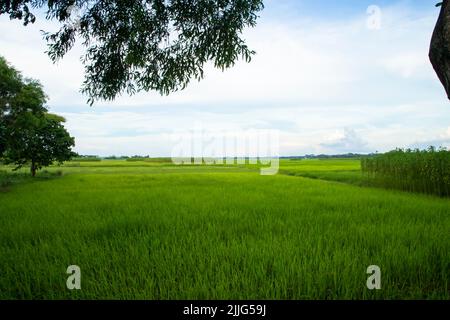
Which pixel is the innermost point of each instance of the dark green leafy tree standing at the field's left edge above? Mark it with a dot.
(28, 133)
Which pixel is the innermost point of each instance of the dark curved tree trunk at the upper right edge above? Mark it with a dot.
(440, 47)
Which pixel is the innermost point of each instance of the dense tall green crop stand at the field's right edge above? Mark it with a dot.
(426, 171)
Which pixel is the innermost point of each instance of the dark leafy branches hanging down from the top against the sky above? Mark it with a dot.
(133, 45)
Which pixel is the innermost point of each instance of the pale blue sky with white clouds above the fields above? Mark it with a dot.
(329, 76)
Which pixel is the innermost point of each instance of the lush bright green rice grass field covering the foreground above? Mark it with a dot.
(167, 232)
